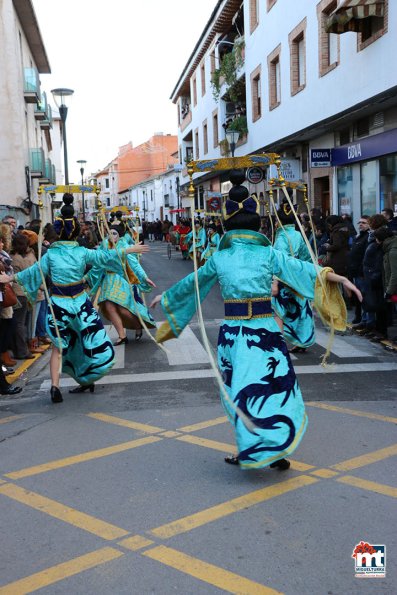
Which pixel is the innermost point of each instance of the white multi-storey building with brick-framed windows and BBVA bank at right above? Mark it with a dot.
(309, 80)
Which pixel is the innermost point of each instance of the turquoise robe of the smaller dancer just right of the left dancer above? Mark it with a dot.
(114, 287)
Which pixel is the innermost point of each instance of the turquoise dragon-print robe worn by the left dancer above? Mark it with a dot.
(87, 352)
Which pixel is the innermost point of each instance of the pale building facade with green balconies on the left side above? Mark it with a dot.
(29, 140)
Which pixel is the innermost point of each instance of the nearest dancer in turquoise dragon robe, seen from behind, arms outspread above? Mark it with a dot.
(252, 354)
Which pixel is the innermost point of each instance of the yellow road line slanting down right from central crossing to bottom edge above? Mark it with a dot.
(213, 575)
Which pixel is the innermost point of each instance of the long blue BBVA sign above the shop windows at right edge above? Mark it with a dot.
(366, 148)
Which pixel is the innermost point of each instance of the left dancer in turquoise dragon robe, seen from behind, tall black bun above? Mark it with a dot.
(87, 352)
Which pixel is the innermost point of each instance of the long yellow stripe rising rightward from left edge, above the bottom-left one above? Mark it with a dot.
(86, 456)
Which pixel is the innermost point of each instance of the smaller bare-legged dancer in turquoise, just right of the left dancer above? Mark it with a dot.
(118, 302)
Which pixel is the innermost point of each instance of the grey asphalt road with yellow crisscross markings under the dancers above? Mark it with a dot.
(125, 490)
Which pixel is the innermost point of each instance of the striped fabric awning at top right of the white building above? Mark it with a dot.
(350, 15)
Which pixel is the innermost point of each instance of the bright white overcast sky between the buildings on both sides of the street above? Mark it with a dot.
(122, 58)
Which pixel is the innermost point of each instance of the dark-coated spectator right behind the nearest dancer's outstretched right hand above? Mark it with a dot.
(355, 267)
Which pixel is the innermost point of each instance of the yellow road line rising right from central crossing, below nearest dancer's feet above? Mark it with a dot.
(231, 506)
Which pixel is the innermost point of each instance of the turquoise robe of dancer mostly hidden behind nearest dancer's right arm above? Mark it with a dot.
(294, 310)
